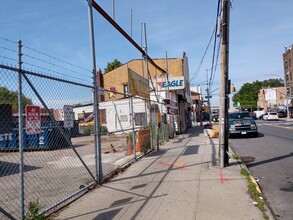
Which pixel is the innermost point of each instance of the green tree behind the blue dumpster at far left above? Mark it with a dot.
(11, 97)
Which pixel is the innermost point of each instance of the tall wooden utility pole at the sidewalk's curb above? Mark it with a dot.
(224, 148)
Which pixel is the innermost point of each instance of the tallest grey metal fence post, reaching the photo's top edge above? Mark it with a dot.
(98, 156)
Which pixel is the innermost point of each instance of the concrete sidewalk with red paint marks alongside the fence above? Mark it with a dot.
(181, 181)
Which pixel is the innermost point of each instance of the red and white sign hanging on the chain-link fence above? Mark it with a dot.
(33, 119)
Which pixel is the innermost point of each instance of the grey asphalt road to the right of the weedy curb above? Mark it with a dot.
(273, 164)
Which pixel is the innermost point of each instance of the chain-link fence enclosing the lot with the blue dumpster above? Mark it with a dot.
(50, 151)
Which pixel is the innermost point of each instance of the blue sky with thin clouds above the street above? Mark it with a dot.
(259, 31)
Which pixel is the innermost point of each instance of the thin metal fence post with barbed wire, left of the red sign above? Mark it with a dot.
(20, 131)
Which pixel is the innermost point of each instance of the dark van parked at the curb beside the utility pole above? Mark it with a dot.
(241, 123)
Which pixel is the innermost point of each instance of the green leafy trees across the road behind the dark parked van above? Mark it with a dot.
(248, 93)
